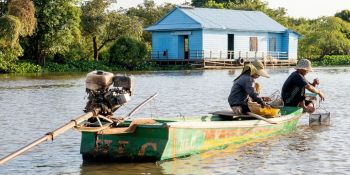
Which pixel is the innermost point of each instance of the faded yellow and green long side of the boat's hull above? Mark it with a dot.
(193, 141)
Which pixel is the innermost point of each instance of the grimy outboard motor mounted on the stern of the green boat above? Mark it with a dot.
(107, 91)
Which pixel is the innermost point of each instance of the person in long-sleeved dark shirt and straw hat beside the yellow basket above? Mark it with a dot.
(243, 88)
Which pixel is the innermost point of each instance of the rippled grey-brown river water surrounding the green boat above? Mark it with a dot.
(34, 105)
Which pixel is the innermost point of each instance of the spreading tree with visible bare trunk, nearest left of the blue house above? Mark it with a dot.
(103, 27)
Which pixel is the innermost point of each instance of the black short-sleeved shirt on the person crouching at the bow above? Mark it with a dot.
(293, 90)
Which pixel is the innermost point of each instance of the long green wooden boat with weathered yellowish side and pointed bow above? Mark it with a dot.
(162, 139)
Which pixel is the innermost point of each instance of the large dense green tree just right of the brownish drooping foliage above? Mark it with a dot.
(57, 28)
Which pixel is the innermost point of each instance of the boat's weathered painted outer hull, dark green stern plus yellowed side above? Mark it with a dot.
(167, 141)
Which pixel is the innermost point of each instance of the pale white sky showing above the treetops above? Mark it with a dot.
(295, 8)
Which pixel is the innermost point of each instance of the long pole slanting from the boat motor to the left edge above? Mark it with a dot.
(51, 135)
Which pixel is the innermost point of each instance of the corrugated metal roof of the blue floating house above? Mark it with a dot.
(224, 19)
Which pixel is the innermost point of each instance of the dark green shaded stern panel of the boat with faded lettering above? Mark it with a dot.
(145, 144)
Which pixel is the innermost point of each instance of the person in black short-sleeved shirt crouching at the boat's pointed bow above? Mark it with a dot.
(293, 90)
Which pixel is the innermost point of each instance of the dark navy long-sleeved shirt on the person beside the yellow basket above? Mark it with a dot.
(242, 88)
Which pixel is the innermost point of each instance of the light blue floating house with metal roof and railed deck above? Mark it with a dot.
(188, 33)
